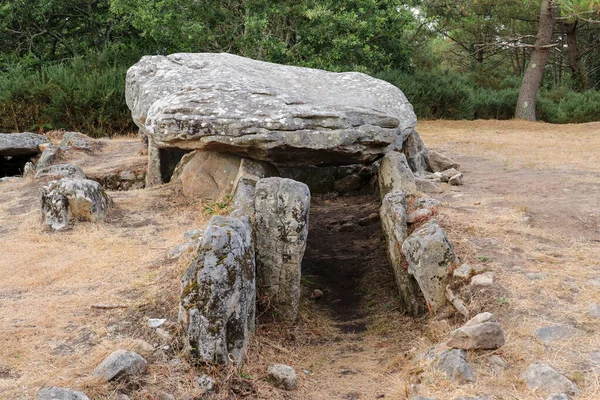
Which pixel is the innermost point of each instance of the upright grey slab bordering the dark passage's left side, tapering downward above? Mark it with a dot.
(281, 225)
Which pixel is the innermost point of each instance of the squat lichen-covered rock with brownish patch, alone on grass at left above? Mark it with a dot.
(67, 200)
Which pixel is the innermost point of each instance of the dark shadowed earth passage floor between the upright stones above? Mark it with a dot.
(344, 243)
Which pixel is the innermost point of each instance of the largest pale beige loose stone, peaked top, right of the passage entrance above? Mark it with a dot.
(481, 332)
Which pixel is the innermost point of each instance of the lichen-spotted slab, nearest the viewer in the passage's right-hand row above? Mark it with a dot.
(430, 258)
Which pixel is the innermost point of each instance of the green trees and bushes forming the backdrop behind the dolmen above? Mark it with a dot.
(63, 62)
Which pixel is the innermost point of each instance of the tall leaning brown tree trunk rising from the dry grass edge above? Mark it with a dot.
(532, 79)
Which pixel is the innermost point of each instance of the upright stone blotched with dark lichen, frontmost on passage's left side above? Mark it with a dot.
(218, 293)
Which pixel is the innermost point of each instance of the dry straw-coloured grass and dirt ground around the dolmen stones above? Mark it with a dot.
(530, 203)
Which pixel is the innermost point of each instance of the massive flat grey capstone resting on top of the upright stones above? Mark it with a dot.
(286, 115)
